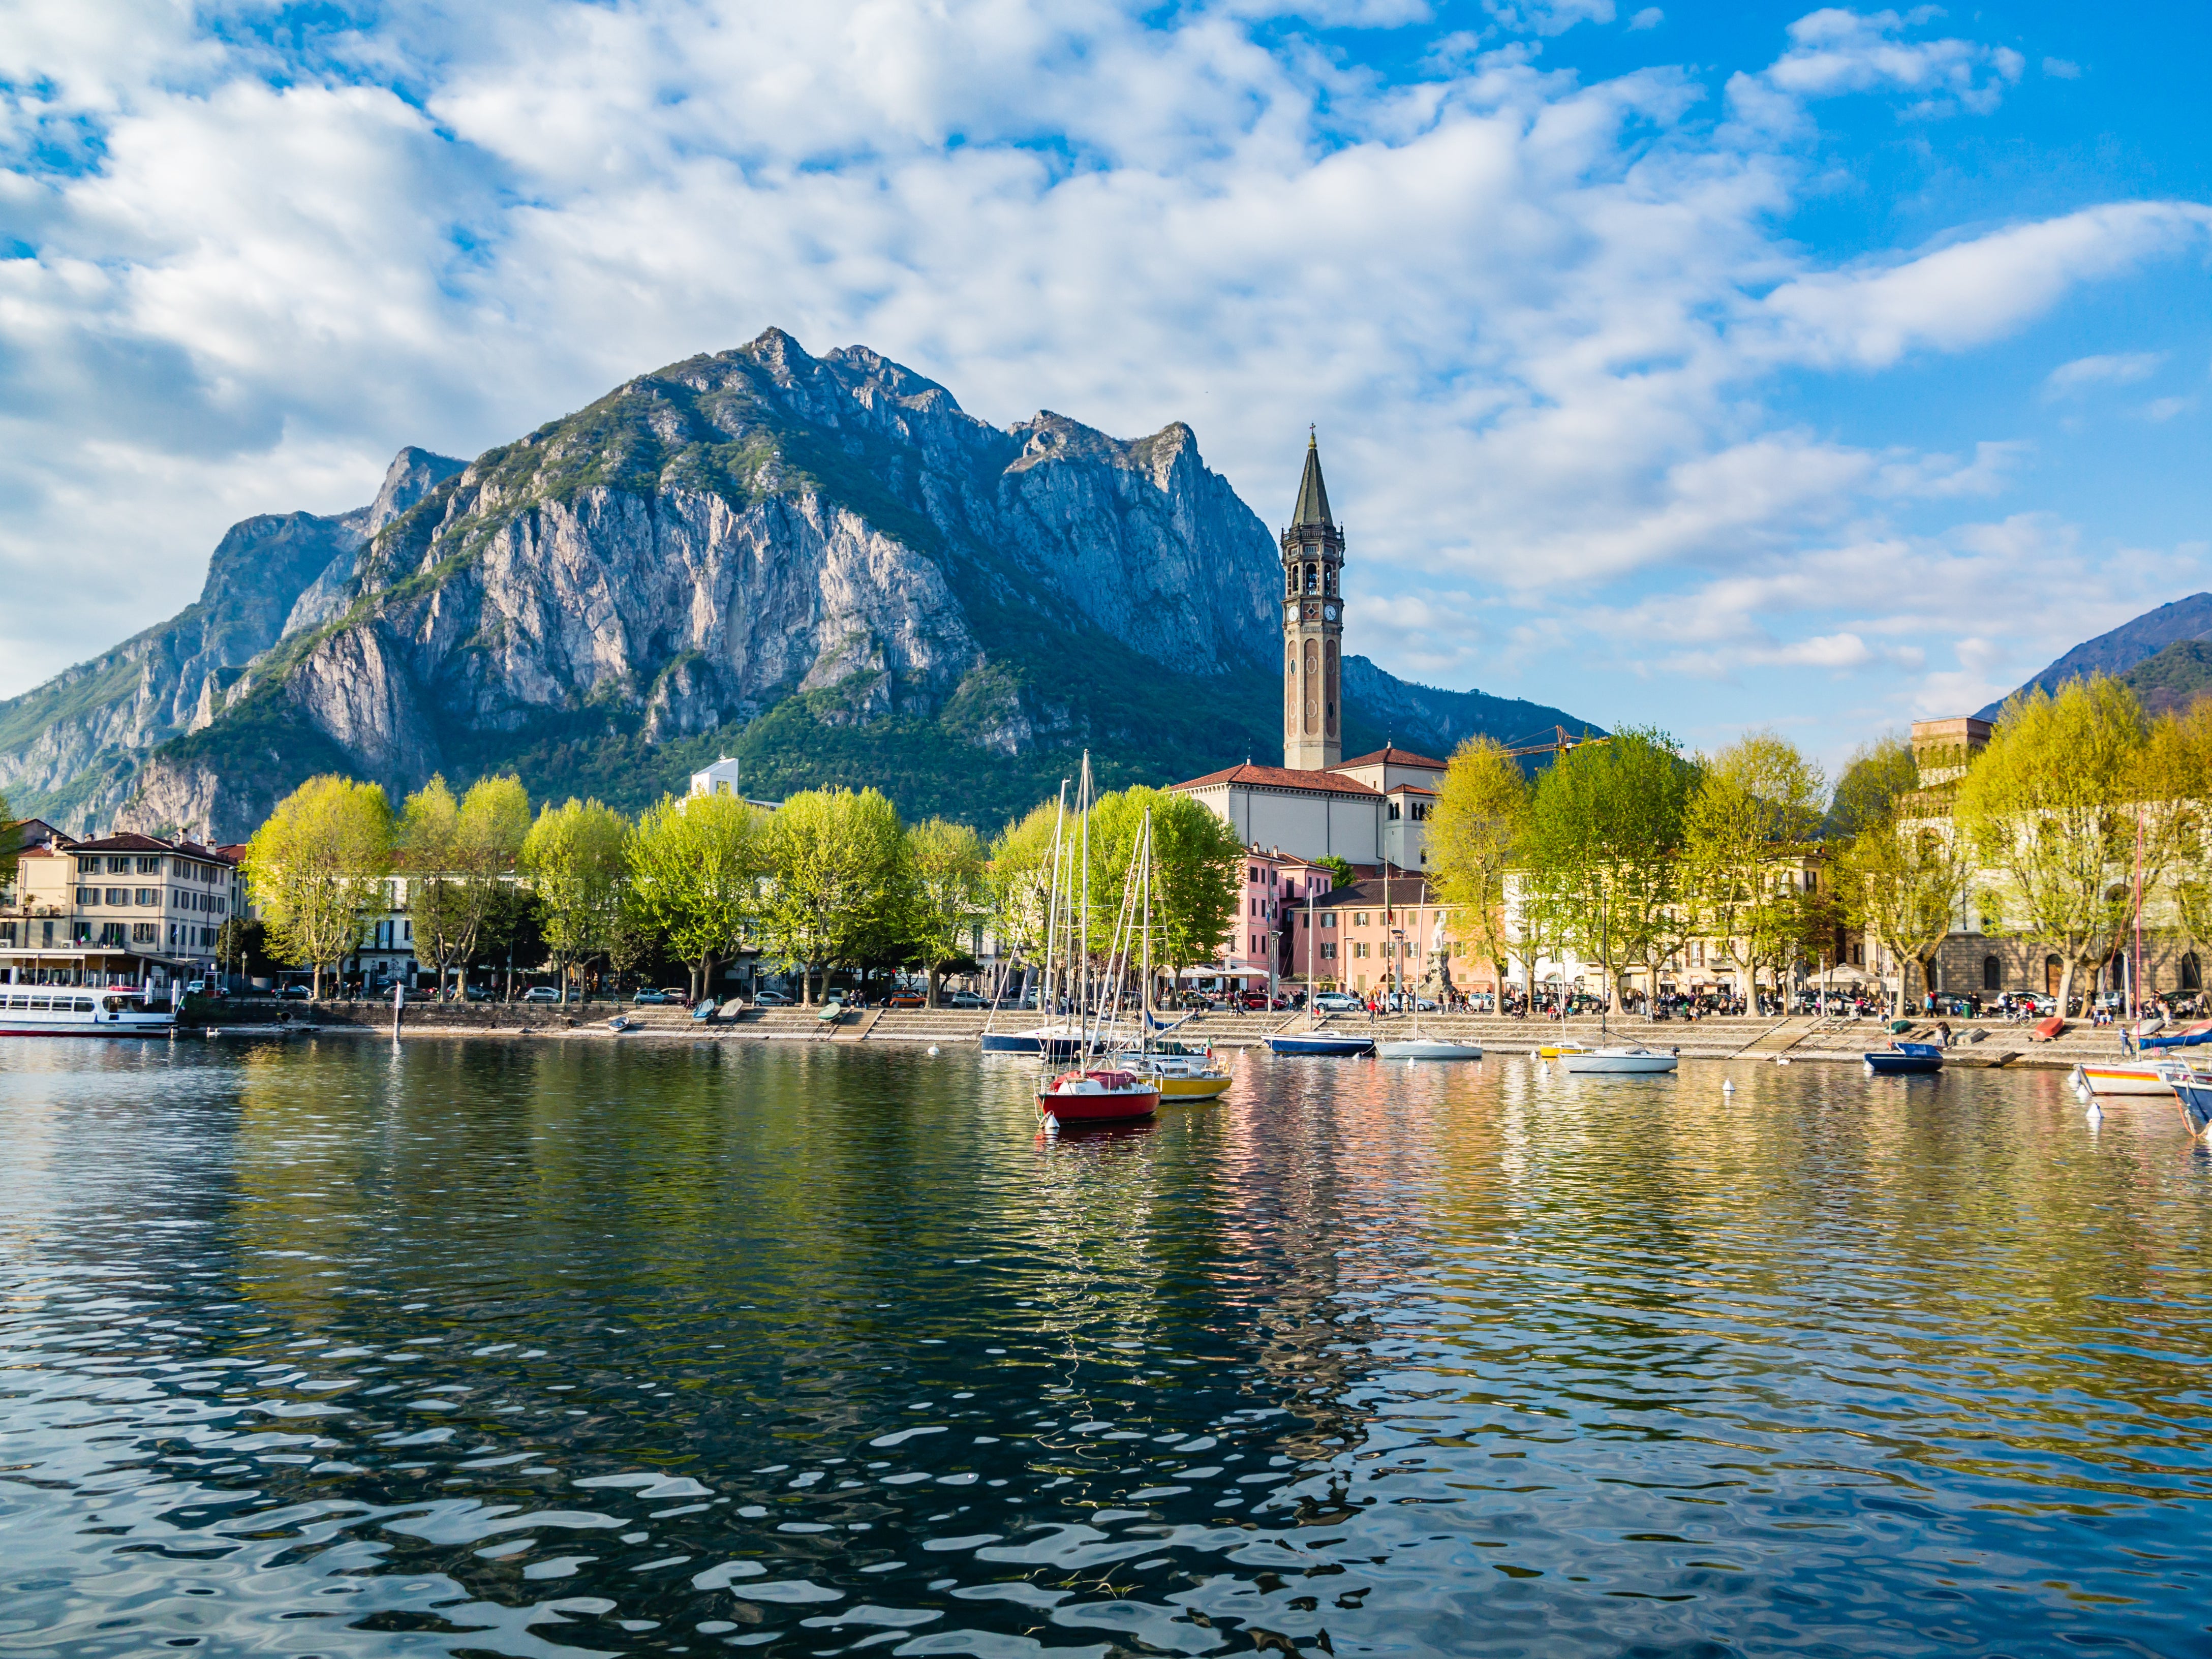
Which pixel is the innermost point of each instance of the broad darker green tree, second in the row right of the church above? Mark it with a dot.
(1603, 851)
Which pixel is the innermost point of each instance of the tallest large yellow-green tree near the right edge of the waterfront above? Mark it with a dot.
(2054, 808)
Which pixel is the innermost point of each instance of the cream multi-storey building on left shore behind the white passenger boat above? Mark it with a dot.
(116, 910)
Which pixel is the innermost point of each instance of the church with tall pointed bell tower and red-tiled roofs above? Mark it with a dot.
(1366, 811)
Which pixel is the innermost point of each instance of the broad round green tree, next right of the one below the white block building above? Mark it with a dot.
(839, 879)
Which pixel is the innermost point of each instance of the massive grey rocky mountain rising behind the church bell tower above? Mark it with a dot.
(820, 565)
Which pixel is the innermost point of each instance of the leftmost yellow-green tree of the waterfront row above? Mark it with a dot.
(317, 864)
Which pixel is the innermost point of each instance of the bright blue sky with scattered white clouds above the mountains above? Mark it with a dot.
(1702, 364)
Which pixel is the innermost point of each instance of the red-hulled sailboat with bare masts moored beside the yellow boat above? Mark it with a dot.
(1085, 1096)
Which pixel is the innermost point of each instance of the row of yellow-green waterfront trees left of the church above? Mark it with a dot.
(828, 879)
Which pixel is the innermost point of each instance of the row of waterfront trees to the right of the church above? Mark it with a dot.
(1627, 851)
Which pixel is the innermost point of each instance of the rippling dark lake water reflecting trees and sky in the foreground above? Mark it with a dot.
(501, 1348)
